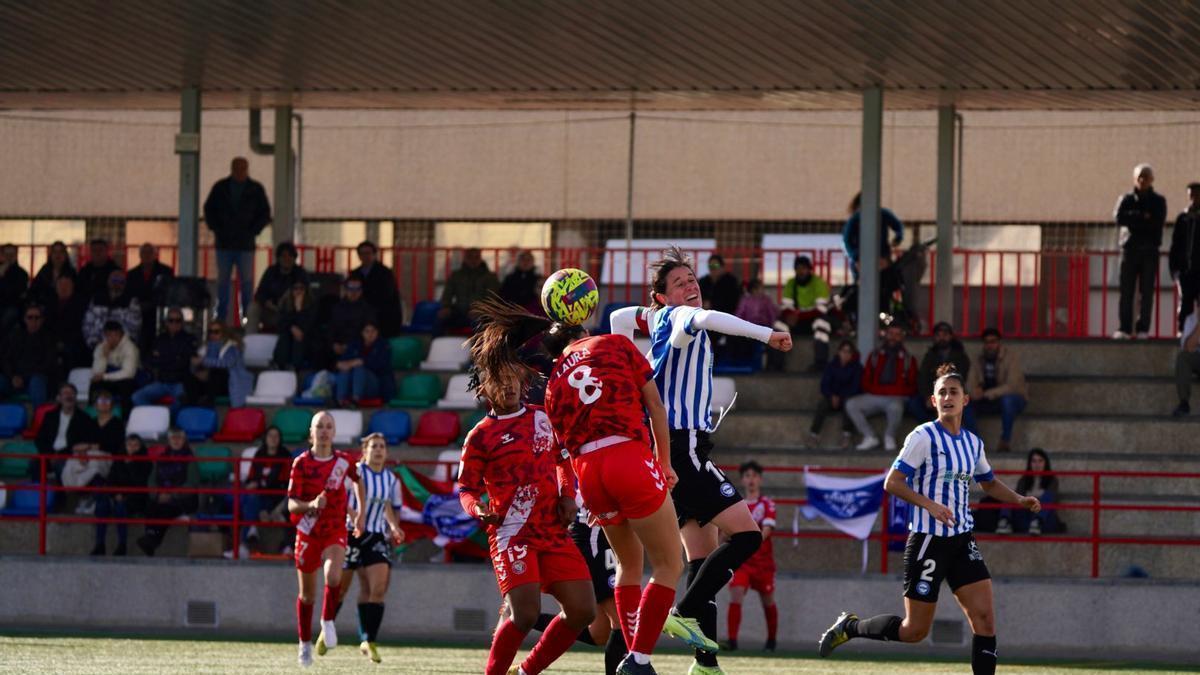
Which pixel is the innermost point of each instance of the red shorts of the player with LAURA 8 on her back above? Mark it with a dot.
(621, 482)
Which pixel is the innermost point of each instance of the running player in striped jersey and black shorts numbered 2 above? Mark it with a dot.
(934, 473)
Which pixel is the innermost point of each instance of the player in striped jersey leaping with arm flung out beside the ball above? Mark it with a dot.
(707, 504)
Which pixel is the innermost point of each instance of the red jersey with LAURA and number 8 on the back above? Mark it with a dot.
(596, 392)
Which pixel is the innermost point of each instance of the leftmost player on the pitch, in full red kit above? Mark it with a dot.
(317, 503)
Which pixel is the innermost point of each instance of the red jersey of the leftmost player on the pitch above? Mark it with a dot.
(310, 477)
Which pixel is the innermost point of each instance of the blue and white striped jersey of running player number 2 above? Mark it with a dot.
(941, 467)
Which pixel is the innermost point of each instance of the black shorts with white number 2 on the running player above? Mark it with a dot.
(929, 559)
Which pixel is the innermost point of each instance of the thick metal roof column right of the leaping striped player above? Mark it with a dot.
(869, 231)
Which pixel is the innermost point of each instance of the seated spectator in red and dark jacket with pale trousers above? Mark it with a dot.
(889, 380)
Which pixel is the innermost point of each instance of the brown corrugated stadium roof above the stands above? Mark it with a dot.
(650, 55)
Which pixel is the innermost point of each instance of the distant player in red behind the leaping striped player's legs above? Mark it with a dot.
(759, 572)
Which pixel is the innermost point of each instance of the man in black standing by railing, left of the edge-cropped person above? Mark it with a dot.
(1139, 216)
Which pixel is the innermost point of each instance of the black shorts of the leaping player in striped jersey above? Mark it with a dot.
(704, 491)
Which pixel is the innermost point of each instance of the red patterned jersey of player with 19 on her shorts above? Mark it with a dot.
(515, 461)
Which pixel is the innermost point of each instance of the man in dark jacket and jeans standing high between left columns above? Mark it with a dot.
(237, 212)
